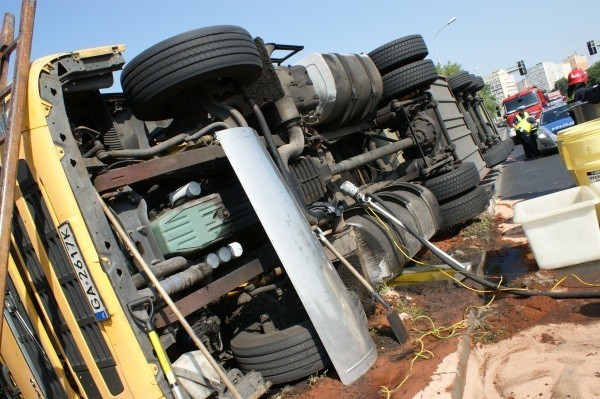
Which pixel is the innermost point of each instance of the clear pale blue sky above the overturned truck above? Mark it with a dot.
(485, 36)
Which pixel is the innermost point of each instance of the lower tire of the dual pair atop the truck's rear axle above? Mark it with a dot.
(416, 75)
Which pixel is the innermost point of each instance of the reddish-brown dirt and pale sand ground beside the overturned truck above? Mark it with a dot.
(518, 347)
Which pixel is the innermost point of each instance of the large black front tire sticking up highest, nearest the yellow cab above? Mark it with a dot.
(156, 76)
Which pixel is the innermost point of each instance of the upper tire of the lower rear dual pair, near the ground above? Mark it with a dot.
(455, 182)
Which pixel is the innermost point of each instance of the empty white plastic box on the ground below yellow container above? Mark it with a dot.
(562, 227)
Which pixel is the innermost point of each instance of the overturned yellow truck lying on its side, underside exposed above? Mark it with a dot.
(194, 194)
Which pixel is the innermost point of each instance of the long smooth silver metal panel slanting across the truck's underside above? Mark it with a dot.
(319, 287)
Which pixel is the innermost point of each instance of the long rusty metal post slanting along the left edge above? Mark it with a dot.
(12, 142)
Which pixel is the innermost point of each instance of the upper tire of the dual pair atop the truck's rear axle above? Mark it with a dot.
(399, 52)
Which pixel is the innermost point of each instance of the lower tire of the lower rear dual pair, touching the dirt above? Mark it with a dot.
(464, 208)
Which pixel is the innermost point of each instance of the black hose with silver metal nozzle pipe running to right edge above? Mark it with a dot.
(382, 208)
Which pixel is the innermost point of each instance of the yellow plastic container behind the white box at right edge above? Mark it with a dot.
(579, 148)
